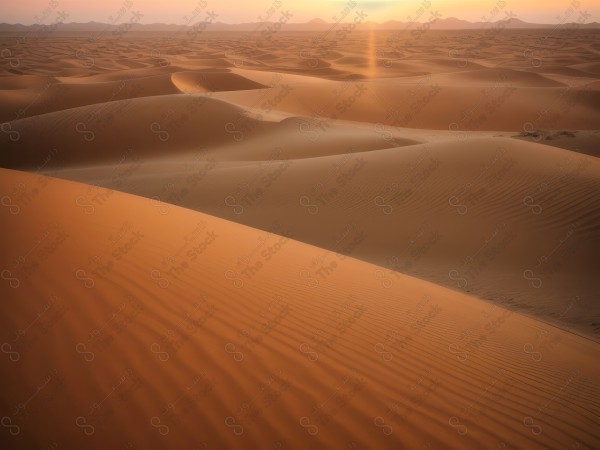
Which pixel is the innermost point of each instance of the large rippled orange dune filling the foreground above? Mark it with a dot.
(177, 328)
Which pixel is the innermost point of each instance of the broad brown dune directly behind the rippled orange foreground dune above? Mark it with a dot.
(504, 220)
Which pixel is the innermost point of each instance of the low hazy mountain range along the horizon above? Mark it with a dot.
(450, 23)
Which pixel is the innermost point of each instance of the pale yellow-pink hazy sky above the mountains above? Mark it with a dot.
(235, 11)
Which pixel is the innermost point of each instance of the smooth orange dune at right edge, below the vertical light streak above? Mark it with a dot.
(442, 102)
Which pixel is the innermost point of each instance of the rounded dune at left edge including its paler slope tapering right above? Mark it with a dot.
(173, 126)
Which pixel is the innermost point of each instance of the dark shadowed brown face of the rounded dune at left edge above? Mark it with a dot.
(148, 126)
